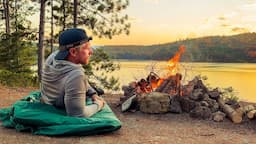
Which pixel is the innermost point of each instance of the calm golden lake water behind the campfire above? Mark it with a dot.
(241, 76)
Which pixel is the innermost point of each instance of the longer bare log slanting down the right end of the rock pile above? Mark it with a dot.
(230, 112)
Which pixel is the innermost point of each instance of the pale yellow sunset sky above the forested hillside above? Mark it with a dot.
(163, 21)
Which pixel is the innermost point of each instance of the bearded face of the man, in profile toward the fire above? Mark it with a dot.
(84, 53)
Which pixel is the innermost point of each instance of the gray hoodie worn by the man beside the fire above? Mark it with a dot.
(64, 85)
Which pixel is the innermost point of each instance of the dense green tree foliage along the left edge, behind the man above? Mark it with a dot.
(17, 51)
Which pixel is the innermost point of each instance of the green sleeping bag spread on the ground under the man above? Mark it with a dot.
(28, 114)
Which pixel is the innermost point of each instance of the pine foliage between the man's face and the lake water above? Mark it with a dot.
(99, 67)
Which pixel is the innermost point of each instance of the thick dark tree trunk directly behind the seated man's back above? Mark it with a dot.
(41, 40)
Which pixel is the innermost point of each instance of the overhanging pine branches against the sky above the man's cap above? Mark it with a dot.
(102, 17)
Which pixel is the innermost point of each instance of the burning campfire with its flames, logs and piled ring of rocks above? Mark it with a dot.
(155, 94)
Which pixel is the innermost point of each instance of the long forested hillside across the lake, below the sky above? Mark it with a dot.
(236, 48)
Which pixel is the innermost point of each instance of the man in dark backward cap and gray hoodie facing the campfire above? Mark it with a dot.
(64, 84)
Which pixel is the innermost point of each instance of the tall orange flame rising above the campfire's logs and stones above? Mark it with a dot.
(172, 63)
